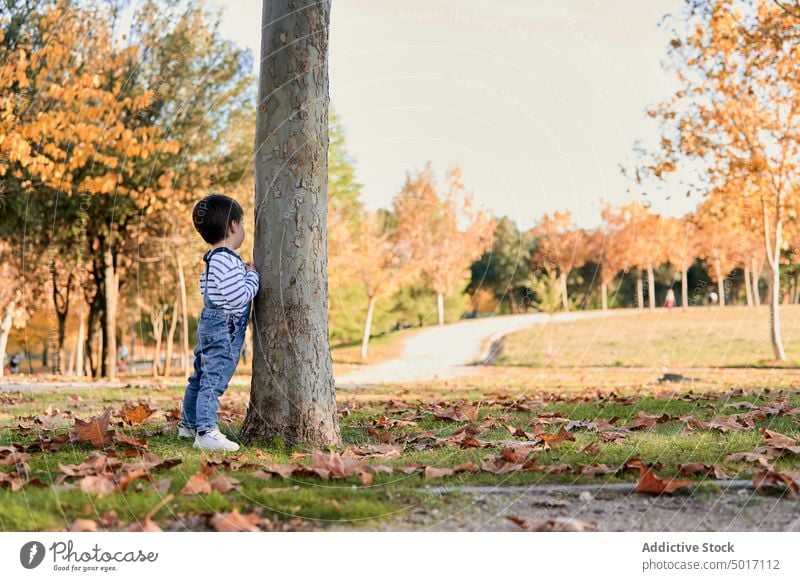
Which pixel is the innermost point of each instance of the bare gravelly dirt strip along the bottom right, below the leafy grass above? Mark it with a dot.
(702, 510)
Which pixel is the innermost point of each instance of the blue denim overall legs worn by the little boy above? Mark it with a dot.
(219, 343)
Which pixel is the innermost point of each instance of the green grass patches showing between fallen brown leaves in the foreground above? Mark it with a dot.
(321, 501)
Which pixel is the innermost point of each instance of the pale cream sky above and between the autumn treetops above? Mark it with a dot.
(538, 101)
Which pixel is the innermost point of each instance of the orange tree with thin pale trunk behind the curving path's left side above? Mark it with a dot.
(446, 233)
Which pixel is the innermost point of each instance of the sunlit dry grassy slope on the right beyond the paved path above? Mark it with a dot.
(731, 336)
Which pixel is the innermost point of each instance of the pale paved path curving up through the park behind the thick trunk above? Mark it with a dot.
(447, 351)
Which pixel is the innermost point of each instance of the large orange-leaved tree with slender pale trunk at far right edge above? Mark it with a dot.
(736, 113)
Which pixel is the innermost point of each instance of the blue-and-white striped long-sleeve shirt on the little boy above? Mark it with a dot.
(230, 285)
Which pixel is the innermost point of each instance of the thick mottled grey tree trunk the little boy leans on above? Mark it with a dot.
(293, 389)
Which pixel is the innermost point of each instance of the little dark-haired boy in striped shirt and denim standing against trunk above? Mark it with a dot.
(228, 285)
